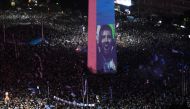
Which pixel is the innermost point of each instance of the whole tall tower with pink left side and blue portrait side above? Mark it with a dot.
(105, 42)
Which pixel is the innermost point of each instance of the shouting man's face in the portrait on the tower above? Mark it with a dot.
(106, 41)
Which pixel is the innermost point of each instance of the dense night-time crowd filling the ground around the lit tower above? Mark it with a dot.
(153, 64)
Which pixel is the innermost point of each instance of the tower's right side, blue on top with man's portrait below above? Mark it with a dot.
(105, 36)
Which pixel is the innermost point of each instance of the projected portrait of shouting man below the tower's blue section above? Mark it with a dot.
(106, 52)
